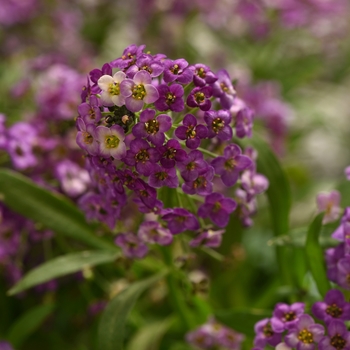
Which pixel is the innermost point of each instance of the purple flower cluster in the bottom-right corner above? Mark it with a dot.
(291, 327)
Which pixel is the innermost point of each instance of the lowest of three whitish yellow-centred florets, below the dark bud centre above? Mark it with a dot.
(111, 141)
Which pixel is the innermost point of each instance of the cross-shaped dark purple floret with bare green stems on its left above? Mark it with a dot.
(191, 132)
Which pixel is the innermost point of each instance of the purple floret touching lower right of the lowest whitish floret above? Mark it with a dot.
(142, 156)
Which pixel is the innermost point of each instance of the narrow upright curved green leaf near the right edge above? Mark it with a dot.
(315, 256)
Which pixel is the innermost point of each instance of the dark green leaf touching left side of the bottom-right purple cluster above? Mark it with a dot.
(242, 320)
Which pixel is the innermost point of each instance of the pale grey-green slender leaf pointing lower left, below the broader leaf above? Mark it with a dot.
(61, 266)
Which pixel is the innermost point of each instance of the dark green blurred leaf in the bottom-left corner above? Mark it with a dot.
(28, 323)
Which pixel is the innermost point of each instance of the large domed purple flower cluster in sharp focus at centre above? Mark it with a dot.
(149, 123)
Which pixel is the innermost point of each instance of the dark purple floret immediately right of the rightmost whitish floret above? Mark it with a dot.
(170, 97)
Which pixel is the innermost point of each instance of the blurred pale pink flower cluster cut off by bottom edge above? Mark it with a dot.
(212, 335)
